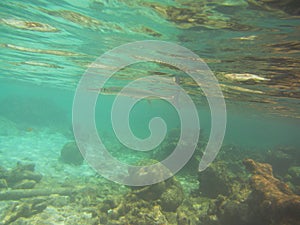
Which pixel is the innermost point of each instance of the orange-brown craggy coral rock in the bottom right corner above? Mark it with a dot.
(271, 199)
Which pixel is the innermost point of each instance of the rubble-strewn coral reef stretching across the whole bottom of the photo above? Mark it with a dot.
(232, 191)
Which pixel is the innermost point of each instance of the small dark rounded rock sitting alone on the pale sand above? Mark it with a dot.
(71, 154)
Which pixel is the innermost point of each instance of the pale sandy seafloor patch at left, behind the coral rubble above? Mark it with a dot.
(43, 149)
